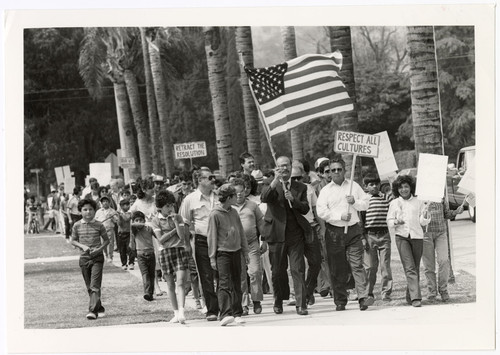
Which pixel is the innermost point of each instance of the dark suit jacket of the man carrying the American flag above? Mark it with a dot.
(275, 218)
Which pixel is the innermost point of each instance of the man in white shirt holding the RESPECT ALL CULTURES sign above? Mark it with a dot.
(339, 207)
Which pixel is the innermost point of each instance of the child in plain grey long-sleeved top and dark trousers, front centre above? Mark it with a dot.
(226, 241)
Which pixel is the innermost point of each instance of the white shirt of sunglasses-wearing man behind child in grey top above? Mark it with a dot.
(195, 210)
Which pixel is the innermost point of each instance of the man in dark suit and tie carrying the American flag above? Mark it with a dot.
(286, 230)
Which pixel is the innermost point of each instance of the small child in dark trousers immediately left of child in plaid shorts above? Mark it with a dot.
(141, 244)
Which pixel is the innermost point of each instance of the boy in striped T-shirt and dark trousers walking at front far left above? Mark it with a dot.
(91, 237)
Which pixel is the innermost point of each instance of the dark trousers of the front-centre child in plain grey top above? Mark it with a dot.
(229, 289)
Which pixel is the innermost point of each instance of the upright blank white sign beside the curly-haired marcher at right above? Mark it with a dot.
(431, 177)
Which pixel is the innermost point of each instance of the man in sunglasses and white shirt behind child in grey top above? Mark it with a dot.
(195, 210)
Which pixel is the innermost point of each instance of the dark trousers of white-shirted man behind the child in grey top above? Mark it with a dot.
(207, 274)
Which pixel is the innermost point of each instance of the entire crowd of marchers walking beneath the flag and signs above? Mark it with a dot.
(292, 231)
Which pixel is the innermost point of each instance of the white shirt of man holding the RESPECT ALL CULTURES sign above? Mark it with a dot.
(332, 203)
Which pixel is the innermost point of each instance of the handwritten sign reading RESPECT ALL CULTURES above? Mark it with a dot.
(362, 144)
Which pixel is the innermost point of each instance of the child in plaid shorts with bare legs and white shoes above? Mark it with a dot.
(169, 229)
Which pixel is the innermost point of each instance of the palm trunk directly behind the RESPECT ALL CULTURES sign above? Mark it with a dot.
(340, 39)
